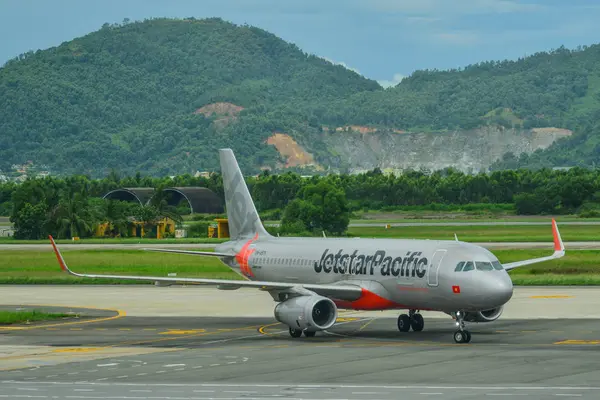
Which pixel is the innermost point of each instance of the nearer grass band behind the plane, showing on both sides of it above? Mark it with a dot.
(578, 267)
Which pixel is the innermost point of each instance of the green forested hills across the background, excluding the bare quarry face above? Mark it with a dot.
(160, 96)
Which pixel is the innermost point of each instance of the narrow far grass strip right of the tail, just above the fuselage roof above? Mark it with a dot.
(523, 233)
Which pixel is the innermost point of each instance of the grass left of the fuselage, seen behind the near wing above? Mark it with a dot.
(37, 267)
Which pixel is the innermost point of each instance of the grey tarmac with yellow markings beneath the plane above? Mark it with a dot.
(202, 343)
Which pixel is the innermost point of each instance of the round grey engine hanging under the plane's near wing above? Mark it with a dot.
(315, 313)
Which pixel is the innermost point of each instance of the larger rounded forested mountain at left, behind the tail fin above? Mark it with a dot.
(130, 97)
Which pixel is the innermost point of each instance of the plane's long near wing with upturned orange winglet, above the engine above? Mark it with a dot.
(341, 292)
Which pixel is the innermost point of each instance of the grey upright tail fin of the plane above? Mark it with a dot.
(243, 218)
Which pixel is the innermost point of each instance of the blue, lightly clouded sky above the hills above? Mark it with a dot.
(383, 40)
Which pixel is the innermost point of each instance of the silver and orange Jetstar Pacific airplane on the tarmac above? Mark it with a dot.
(311, 278)
